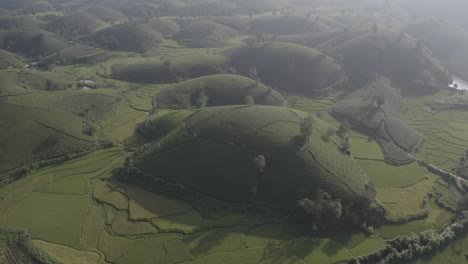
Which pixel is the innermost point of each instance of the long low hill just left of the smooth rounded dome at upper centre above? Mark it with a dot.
(184, 67)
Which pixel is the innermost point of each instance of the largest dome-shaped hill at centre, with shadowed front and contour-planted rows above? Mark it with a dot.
(213, 152)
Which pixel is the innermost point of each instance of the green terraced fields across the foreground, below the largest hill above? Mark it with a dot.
(102, 219)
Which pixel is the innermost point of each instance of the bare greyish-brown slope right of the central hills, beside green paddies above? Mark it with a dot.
(377, 109)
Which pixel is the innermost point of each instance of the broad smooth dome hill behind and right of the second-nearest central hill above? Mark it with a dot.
(288, 66)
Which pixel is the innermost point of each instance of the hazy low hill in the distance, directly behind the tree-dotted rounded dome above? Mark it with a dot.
(286, 25)
